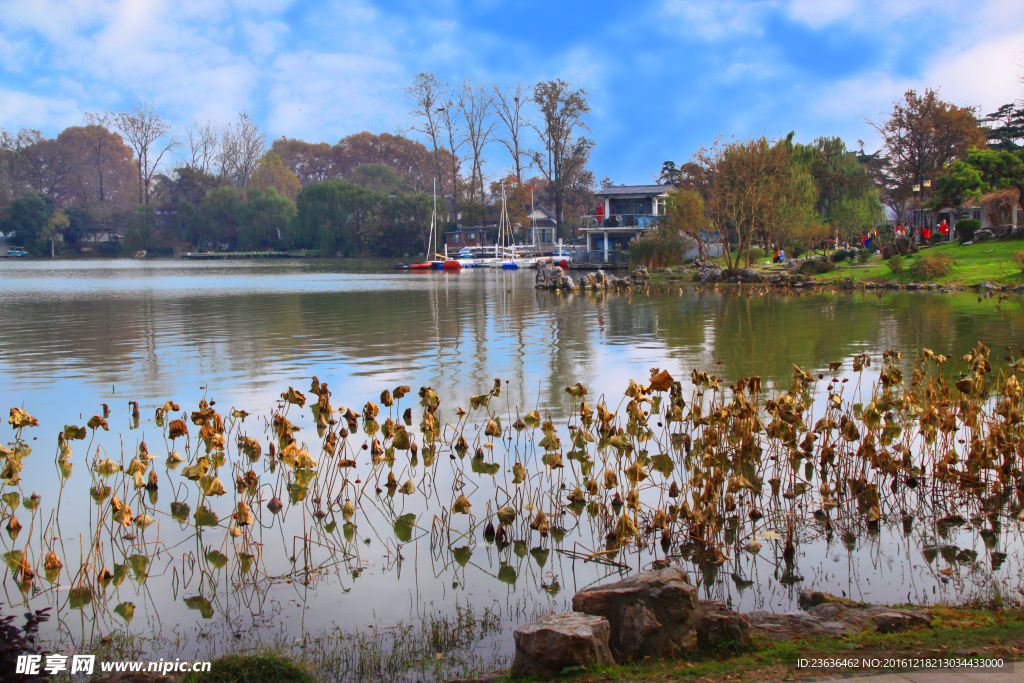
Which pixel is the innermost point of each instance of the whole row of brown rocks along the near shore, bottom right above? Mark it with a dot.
(659, 615)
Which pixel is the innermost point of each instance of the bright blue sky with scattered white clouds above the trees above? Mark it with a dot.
(664, 76)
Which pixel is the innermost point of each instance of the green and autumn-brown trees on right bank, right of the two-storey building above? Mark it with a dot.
(935, 156)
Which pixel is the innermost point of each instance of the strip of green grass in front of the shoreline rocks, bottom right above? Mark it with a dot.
(955, 632)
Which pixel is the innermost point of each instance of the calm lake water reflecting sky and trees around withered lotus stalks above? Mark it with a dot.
(78, 335)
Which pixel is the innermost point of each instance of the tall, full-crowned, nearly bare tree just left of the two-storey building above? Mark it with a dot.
(563, 158)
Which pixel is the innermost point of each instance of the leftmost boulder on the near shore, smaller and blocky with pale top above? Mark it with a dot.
(557, 643)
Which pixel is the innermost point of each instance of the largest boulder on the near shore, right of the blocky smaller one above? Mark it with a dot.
(652, 614)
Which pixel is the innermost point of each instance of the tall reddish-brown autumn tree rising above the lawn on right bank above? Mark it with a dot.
(922, 138)
